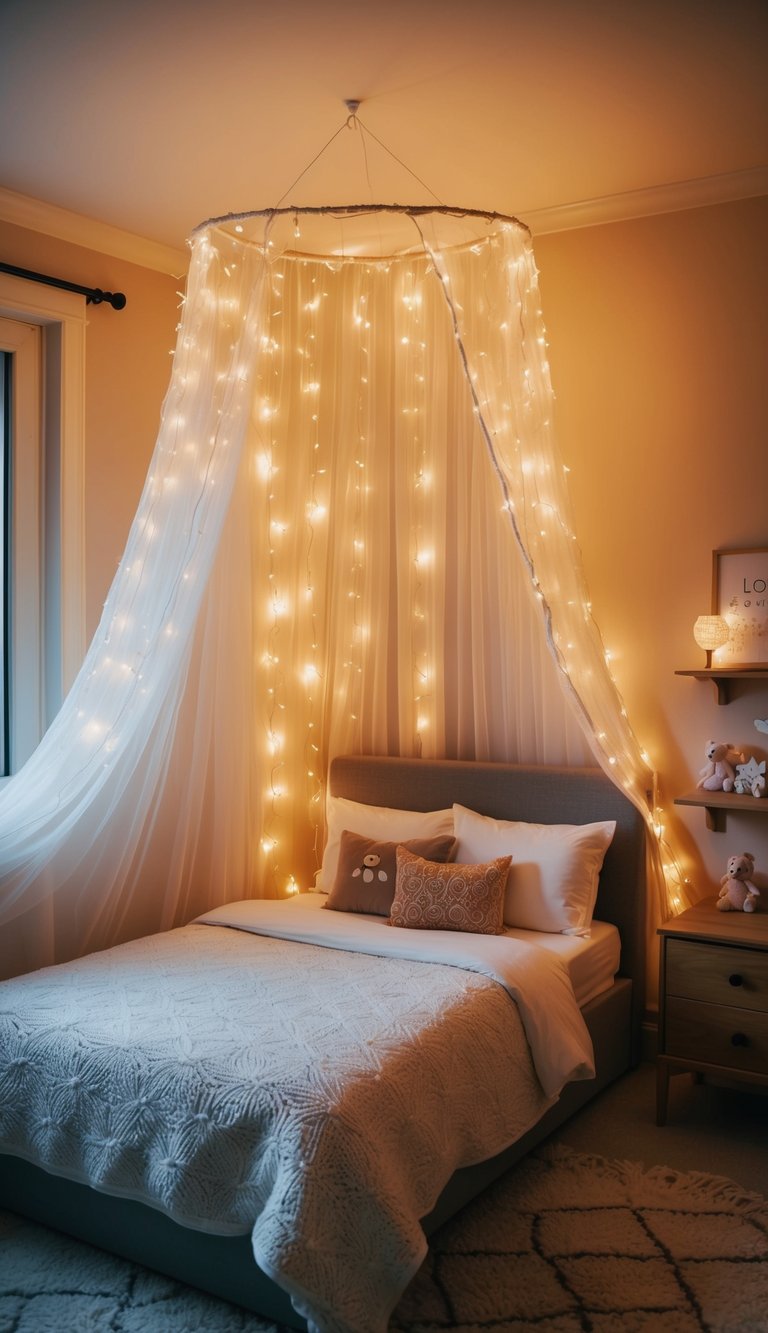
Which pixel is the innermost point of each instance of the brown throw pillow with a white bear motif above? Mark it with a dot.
(367, 871)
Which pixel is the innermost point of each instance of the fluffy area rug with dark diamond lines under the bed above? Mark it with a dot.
(565, 1243)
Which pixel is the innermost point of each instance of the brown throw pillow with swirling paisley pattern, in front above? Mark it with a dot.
(450, 898)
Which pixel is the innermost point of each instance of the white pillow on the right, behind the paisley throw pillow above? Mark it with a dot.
(553, 880)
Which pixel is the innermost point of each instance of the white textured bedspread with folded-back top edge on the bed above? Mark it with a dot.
(317, 1098)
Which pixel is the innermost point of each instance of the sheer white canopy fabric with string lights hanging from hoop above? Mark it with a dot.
(355, 535)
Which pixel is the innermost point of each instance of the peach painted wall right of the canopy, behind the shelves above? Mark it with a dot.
(658, 334)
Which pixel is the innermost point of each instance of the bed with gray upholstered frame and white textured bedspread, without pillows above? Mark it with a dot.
(337, 1056)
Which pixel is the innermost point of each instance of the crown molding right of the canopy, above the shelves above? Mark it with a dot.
(646, 203)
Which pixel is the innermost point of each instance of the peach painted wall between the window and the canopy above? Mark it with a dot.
(127, 371)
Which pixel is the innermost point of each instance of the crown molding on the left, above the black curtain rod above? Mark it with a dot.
(51, 221)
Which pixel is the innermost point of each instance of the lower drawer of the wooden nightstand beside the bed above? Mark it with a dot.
(717, 1035)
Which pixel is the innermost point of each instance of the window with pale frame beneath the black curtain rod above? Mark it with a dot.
(42, 343)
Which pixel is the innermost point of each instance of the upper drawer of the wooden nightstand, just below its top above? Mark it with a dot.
(718, 974)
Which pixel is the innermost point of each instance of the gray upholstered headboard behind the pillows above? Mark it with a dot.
(531, 794)
